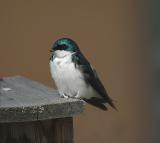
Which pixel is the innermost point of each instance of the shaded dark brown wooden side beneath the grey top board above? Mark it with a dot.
(49, 131)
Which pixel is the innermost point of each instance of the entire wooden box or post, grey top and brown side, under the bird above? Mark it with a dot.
(33, 113)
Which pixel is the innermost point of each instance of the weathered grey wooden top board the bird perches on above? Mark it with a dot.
(22, 99)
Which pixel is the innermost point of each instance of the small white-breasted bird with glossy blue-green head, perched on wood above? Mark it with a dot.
(75, 77)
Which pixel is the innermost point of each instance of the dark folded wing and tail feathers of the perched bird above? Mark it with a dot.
(91, 78)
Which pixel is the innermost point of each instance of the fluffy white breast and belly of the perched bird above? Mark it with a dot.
(68, 79)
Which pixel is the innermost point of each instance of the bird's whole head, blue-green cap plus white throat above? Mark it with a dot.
(64, 46)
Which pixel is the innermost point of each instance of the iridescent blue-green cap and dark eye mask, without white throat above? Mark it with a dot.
(65, 44)
